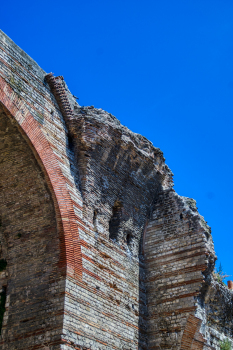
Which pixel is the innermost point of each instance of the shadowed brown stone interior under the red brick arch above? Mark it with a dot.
(31, 280)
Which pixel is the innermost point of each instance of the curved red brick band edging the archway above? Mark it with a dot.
(70, 255)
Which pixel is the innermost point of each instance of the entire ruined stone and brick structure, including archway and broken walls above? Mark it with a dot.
(97, 251)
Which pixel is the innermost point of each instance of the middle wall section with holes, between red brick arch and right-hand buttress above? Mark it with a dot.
(120, 174)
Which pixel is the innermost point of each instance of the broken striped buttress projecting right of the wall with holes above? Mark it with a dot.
(178, 248)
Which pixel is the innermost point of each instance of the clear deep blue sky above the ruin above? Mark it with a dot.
(163, 67)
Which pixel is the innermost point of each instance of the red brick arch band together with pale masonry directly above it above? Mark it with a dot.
(26, 96)
